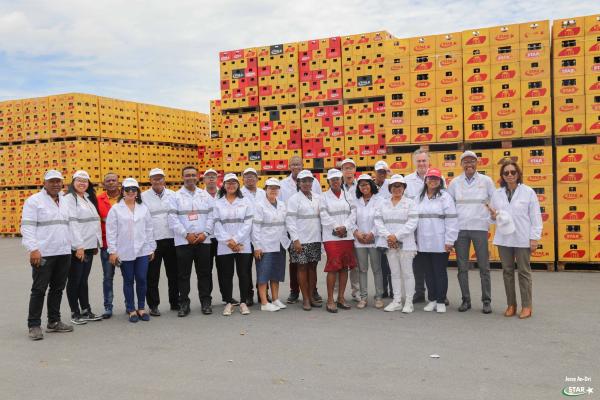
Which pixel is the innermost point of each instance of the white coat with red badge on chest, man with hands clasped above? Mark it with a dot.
(191, 213)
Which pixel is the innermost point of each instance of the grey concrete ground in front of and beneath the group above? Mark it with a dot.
(293, 354)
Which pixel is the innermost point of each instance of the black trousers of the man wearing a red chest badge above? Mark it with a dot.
(199, 255)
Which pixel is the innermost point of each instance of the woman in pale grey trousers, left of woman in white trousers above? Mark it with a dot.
(364, 240)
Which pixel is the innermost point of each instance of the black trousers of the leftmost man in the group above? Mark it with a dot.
(53, 275)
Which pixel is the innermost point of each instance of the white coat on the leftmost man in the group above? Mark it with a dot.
(45, 225)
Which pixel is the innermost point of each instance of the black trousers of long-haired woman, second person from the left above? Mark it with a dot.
(77, 287)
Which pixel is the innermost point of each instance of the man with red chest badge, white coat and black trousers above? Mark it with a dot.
(192, 221)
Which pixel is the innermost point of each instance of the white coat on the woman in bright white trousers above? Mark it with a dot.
(400, 220)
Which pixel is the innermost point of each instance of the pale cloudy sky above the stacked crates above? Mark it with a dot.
(167, 52)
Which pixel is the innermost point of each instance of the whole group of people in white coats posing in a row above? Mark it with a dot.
(402, 228)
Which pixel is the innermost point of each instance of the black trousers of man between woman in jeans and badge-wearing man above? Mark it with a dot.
(165, 251)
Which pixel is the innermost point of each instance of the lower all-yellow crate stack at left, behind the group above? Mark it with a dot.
(76, 131)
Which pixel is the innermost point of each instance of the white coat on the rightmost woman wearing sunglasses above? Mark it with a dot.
(524, 208)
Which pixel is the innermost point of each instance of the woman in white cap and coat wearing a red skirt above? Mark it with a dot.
(338, 221)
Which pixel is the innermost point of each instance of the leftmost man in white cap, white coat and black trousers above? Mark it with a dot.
(46, 236)
